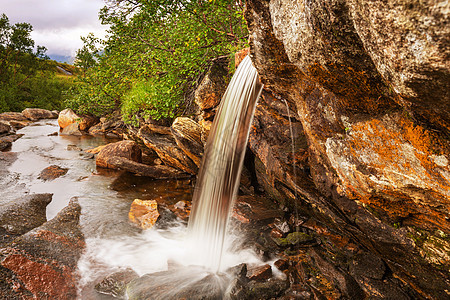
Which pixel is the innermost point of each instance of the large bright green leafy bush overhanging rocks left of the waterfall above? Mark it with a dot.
(154, 55)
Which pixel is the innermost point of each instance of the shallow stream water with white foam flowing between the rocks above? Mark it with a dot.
(105, 196)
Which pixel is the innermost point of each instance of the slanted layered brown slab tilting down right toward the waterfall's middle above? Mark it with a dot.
(167, 149)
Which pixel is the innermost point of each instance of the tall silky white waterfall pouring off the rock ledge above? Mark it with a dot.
(219, 175)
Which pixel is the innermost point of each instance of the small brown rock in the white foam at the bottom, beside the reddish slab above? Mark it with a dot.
(115, 284)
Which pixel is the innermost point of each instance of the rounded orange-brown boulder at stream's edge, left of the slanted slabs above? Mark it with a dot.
(126, 149)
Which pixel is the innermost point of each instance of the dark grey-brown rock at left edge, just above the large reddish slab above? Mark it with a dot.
(22, 215)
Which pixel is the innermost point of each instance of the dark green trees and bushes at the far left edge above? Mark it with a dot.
(27, 78)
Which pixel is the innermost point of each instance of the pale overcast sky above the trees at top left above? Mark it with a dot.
(57, 24)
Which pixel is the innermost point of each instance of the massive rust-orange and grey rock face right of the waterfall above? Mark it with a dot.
(366, 84)
